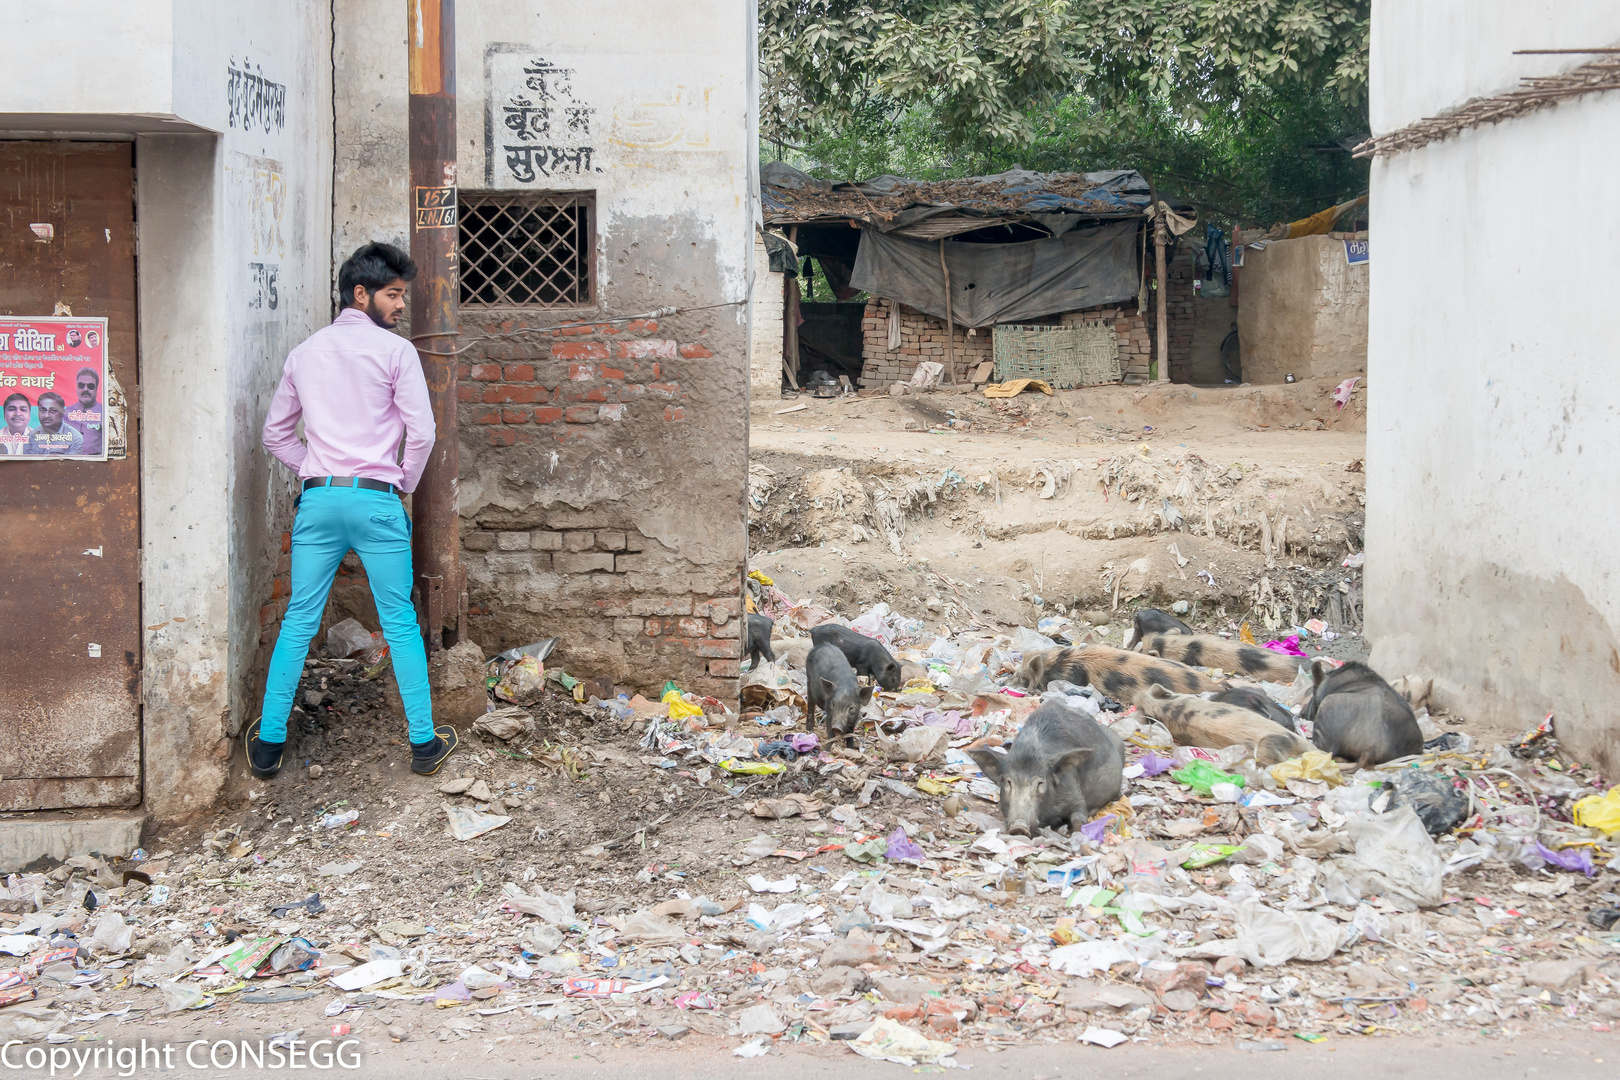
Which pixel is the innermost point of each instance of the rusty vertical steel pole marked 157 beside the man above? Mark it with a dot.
(437, 548)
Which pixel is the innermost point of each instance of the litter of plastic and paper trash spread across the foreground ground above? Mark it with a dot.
(868, 893)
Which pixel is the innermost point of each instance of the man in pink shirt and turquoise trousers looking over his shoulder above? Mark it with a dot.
(359, 389)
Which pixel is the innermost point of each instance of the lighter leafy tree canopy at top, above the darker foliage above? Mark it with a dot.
(984, 66)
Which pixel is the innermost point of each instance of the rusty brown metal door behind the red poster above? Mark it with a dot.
(70, 532)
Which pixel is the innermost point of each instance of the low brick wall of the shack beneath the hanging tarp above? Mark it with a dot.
(923, 338)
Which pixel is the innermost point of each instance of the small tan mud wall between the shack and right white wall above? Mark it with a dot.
(1303, 312)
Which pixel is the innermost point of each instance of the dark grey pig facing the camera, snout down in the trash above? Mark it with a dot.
(1060, 770)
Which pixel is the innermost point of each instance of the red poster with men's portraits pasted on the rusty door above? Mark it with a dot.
(54, 383)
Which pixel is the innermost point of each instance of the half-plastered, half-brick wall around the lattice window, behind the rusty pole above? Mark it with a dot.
(603, 467)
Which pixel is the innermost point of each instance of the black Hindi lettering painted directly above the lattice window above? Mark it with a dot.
(544, 130)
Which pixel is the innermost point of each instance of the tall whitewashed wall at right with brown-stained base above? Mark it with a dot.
(1493, 428)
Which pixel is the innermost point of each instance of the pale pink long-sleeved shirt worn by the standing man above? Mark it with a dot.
(359, 389)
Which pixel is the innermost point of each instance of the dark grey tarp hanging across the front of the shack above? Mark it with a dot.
(1085, 268)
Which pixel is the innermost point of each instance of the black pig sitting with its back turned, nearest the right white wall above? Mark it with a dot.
(1362, 718)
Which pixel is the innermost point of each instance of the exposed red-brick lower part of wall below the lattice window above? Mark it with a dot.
(602, 496)
